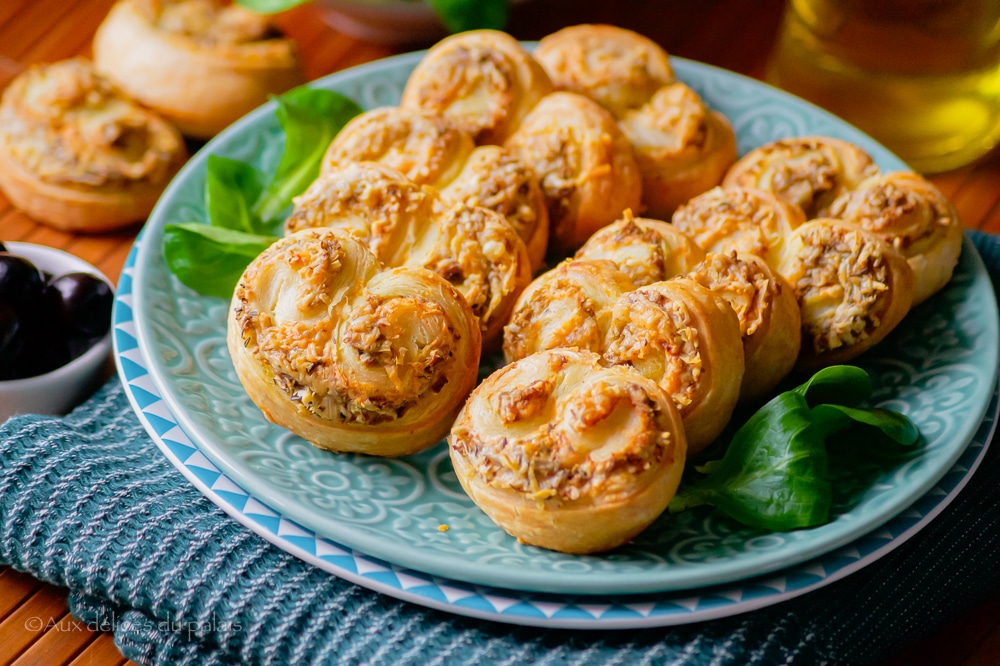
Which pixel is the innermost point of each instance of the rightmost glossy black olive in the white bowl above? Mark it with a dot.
(80, 302)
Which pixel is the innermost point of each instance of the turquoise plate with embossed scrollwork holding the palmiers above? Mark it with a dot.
(939, 368)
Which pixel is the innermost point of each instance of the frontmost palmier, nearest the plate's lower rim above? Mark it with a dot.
(566, 454)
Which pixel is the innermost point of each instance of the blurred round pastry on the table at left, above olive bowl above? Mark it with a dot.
(77, 154)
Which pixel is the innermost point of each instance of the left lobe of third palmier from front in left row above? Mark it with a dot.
(428, 149)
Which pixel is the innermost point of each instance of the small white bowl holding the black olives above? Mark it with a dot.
(58, 391)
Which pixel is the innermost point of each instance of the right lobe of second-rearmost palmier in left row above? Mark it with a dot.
(584, 163)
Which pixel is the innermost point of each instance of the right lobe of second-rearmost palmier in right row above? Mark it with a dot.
(853, 288)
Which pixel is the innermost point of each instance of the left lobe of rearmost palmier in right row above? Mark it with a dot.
(809, 172)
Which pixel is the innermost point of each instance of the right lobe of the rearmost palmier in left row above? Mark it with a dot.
(681, 146)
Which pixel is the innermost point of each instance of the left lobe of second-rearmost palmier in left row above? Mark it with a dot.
(483, 80)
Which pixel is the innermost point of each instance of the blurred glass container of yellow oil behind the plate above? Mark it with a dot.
(921, 76)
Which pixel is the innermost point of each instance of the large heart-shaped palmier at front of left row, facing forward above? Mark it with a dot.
(346, 355)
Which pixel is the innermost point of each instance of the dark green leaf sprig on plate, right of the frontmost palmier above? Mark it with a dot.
(775, 473)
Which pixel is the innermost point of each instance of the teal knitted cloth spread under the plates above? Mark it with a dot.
(88, 502)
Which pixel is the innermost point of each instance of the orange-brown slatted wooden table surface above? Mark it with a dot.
(35, 626)
